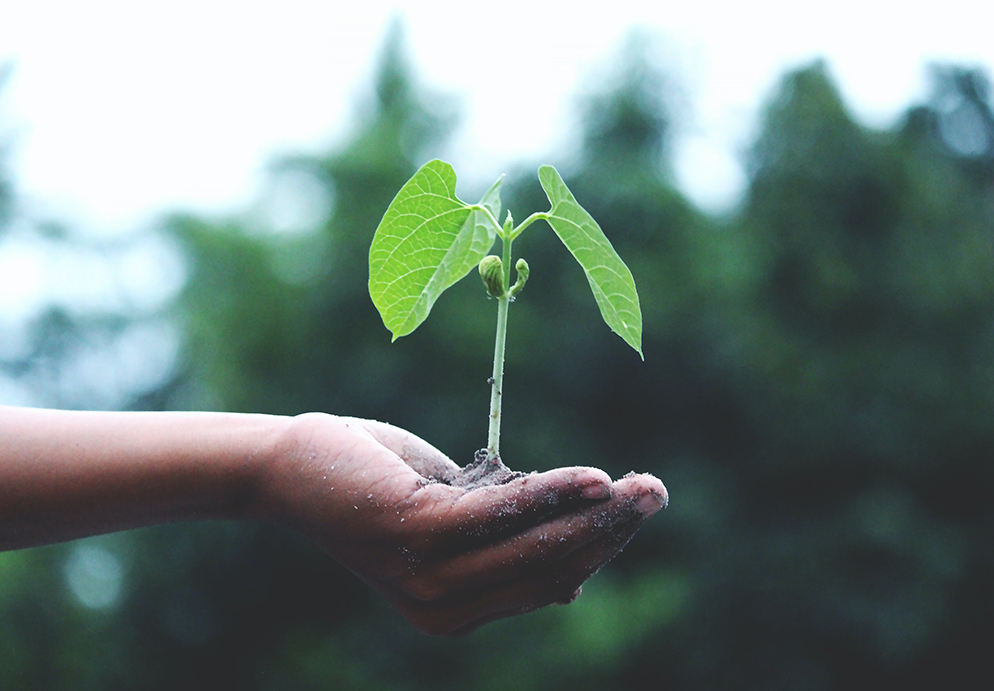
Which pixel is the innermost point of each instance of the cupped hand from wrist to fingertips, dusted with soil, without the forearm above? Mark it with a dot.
(451, 559)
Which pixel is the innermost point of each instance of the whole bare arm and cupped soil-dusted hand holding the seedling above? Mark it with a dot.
(449, 559)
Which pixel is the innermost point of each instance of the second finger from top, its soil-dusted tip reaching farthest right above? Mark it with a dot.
(546, 543)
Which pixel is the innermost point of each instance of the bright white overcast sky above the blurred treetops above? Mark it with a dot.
(119, 110)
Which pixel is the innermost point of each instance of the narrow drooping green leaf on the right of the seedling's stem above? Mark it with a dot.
(610, 280)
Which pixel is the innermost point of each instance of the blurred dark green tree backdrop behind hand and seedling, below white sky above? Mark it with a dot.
(817, 395)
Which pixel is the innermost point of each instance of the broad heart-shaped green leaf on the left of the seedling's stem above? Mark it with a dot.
(427, 241)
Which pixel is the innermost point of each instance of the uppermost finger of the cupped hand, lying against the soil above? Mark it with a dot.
(482, 516)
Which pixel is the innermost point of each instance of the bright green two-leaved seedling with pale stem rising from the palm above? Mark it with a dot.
(429, 239)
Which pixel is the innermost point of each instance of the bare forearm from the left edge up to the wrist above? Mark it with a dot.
(65, 475)
